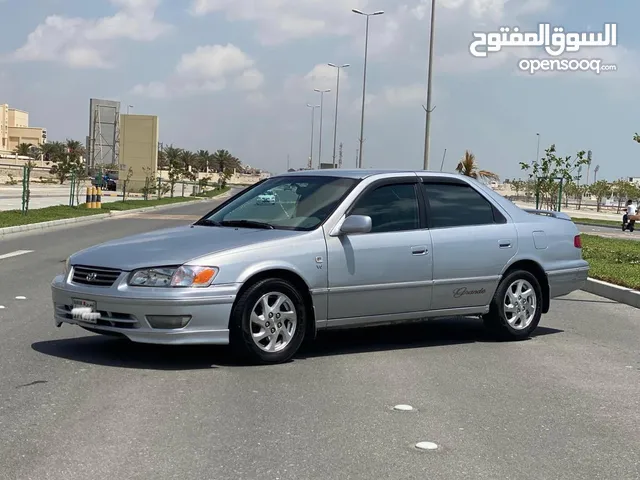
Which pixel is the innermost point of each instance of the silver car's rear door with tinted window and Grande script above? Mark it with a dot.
(472, 243)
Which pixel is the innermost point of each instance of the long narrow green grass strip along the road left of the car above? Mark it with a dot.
(13, 218)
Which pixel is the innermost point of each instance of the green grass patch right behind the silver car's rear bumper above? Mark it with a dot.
(611, 260)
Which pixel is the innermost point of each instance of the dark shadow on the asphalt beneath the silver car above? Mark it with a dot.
(121, 353)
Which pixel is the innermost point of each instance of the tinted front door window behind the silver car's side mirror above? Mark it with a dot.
(392, 208)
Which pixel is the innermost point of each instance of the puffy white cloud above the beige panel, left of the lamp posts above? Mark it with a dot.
(209, 68)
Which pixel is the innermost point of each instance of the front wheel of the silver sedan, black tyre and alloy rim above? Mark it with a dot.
(249, 320)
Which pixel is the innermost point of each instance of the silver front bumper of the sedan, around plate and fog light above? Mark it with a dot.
(127, 313)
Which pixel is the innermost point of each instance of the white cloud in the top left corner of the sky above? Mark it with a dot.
(86, 43)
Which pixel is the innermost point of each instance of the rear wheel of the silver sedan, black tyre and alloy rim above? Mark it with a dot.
(515, 320)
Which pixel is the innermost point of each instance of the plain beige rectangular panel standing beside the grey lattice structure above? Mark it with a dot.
(138, 148)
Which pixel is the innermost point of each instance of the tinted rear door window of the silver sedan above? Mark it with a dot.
(456, 206)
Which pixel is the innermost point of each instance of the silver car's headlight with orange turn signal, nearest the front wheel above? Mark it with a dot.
(185, 276)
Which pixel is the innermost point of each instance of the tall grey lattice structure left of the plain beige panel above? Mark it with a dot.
(104, 132)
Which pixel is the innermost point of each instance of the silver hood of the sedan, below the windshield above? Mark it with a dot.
(173, 246)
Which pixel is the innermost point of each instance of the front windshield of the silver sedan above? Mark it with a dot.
(300, 203)
